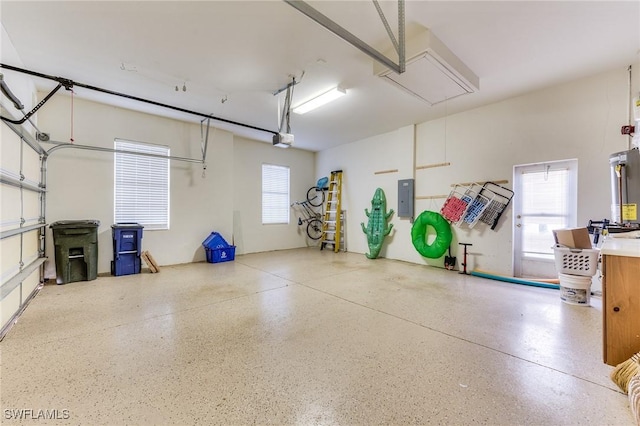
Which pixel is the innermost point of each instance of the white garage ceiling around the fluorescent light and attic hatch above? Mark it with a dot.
(232, 56)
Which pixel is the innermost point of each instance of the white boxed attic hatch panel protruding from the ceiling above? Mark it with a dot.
(432, 73)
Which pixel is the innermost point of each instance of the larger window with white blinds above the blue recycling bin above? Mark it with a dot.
(141, 192)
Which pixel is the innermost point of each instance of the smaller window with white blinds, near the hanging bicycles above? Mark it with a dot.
(275, 194)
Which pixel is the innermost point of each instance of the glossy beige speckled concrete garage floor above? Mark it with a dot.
(307, 337)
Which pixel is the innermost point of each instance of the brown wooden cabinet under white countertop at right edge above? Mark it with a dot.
(620, 307)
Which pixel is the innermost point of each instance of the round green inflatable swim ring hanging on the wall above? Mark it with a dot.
(419, 234)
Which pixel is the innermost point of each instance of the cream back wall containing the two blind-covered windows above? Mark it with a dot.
(80, 183)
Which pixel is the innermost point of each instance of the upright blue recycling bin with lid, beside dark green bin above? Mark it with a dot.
(127, 248)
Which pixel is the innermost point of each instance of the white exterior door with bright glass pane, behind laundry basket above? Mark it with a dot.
(545, 199)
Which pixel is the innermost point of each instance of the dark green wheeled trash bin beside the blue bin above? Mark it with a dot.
(76, 250)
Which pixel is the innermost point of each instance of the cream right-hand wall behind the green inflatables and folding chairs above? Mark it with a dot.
(580, 119)
